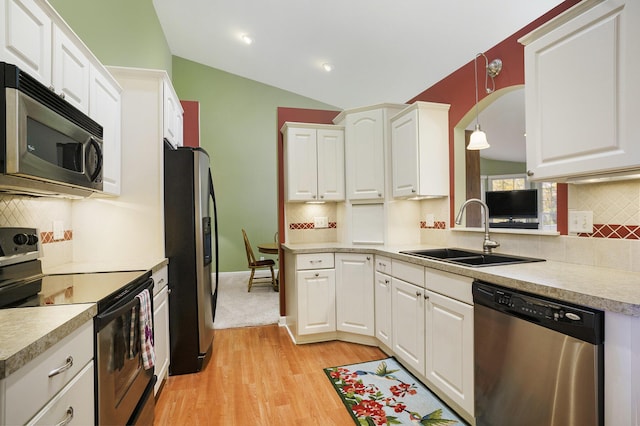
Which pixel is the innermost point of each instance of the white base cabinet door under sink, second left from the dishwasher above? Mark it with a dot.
(408, 323)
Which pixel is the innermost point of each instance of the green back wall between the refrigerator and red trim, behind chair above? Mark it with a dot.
(238, 128)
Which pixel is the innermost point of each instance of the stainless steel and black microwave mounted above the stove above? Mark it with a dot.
(48, 146)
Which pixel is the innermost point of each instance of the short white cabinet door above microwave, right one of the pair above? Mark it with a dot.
(70, 71)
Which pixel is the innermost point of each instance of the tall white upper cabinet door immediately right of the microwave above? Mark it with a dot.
(105, 108)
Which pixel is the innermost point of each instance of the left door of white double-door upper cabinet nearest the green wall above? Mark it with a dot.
(302, 164)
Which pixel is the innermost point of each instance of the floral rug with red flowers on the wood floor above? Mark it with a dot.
(384, 393)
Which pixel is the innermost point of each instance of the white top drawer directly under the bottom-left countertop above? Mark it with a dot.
(29, 388)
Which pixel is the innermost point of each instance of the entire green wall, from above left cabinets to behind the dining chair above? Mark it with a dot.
(238, 117)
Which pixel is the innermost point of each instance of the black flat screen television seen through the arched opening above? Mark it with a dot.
(517, 204)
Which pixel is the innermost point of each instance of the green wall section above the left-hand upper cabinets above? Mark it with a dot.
(119, 32)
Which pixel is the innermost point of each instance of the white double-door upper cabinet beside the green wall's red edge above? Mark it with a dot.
(314, 157)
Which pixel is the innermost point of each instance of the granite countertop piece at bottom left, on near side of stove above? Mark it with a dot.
(25, 333)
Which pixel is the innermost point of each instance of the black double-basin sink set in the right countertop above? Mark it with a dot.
(470, 257)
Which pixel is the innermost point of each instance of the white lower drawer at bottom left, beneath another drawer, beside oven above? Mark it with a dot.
(74, 402)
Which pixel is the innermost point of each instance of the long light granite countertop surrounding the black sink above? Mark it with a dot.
(601, 288)
